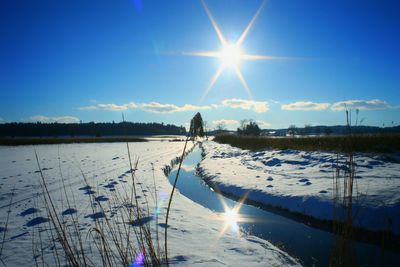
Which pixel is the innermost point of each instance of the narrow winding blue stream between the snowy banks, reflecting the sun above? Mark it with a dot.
(310, 245)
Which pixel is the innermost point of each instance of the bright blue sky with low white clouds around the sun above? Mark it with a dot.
(92, 60)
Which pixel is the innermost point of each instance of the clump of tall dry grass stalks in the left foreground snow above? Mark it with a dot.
(109, 241)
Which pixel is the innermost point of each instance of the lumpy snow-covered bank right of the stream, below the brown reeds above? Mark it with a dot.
(303, 182)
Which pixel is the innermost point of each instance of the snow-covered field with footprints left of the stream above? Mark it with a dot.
(193, 231)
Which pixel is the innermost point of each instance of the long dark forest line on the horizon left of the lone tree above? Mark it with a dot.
(88, 129)
